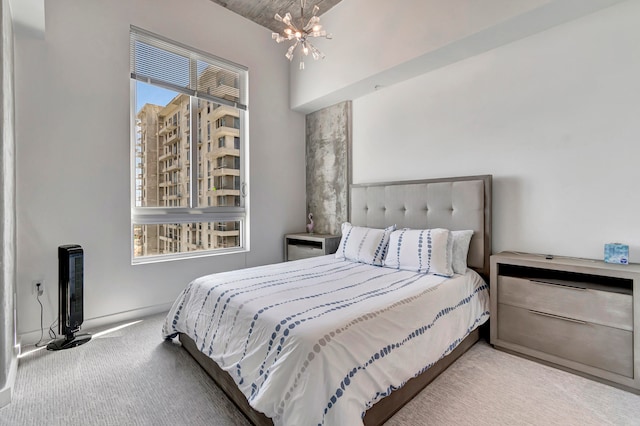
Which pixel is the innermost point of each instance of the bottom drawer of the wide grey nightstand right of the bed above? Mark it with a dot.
(595, 345)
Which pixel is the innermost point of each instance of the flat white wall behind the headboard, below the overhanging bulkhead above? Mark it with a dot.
(553, 117)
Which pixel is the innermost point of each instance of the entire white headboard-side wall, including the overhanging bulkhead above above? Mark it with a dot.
(542, 95)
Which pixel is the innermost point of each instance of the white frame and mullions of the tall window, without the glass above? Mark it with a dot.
(168, 215)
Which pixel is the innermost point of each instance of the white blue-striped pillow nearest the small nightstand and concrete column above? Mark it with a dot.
(364, 245)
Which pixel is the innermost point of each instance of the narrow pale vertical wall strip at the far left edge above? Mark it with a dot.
(8, 353)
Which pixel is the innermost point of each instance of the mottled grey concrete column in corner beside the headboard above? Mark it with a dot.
(328, 146)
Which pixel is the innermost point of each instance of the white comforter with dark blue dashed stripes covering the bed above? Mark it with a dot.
(320, 340)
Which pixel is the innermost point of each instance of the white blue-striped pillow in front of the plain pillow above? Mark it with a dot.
(427, 251)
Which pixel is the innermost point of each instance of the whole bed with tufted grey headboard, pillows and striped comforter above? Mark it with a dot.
(348, 338)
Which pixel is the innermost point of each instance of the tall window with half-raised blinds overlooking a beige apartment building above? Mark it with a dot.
(174, 89)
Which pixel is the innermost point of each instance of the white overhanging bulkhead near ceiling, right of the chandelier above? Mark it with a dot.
(380, 43)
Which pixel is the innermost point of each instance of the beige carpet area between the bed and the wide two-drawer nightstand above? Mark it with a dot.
(489, 387)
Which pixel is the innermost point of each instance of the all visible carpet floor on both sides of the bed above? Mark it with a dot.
(132, 377)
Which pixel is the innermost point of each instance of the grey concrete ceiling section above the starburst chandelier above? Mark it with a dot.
(263, 11)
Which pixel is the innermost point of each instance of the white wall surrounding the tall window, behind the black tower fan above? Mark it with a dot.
(73, 127)
